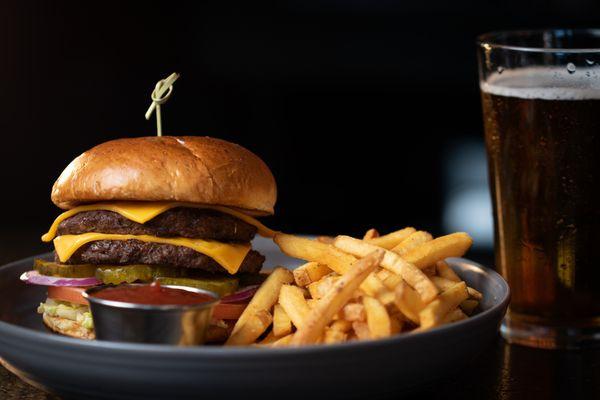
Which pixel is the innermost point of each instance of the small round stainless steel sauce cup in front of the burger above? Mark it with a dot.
(182, 325)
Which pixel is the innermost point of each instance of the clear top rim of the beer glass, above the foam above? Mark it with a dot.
(489, 40)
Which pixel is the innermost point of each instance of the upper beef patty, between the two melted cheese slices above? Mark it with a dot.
(195, 223)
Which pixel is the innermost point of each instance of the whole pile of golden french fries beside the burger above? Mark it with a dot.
(358, 289)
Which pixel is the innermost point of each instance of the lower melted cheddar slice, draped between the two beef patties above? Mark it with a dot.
(229, 256)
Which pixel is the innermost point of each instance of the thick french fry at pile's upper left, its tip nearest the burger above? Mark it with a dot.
(312, 250)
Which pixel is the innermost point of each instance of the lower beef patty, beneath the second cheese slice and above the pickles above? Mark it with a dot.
(124, 252)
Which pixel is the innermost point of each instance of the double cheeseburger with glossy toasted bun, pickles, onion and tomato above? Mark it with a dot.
(179, 210)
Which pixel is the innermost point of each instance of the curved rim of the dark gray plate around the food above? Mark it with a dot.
(256, 352)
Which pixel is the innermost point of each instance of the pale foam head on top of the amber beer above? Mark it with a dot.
(545, 83)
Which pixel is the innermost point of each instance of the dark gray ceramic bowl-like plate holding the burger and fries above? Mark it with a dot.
(109, 370)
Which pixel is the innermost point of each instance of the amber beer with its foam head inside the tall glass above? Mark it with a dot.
(543, 144)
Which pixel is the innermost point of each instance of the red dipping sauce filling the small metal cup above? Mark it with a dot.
(153, 294)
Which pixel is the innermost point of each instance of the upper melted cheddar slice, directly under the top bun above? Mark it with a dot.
(142, 212)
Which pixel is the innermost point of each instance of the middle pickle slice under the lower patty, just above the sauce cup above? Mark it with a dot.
(115, 275)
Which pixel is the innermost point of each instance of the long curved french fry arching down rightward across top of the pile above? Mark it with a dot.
(392, 262)
